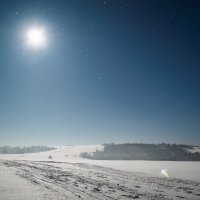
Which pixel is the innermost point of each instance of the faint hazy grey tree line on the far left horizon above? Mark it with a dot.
(22, 150)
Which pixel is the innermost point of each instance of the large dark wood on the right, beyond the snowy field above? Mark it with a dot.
(128, 151)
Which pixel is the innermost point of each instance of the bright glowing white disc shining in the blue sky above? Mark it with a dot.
(36, 38)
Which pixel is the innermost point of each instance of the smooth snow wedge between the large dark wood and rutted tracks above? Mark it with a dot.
(182, 170)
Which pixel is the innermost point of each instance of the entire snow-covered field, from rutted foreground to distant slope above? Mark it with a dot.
(67, 176)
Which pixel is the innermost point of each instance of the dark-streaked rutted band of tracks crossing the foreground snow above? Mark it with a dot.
(84, 181)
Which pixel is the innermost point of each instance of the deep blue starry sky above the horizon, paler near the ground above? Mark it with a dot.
(111, 71)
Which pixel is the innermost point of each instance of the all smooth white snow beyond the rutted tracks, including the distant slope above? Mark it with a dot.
(175, 169)
